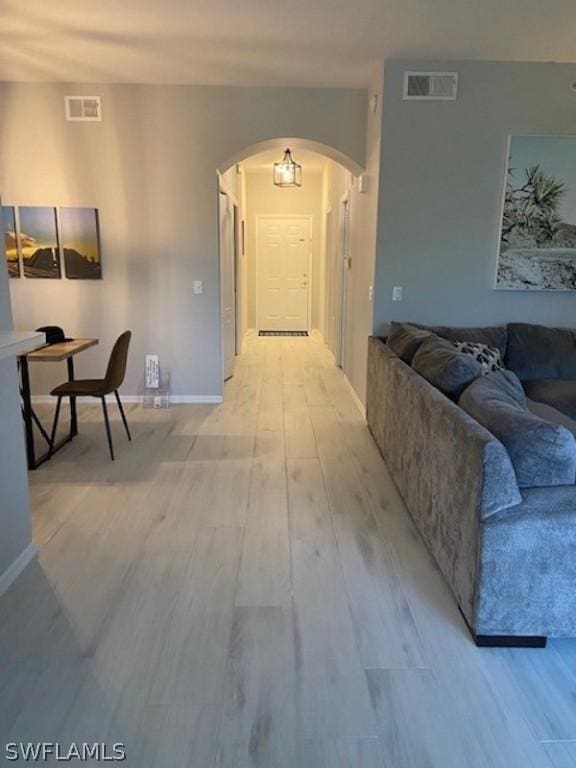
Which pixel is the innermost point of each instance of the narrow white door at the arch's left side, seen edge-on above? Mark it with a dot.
(227, 284)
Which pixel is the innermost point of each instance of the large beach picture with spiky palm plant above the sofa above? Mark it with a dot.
(537, 249)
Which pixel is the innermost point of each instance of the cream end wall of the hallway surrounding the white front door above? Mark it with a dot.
(263, 198)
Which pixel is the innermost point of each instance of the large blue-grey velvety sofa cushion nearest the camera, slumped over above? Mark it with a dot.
(542, 453)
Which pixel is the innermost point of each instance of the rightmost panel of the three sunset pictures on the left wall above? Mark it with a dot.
(80, 239)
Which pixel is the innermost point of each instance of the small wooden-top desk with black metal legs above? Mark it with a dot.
(49, 353)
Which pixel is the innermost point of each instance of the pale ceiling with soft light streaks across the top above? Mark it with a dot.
(252, 42)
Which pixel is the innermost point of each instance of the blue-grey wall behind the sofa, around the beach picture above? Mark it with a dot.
(441, 182)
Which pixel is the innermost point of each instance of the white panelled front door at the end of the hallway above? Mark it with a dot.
(284, 249)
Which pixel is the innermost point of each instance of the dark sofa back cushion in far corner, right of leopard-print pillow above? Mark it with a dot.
(538, 352)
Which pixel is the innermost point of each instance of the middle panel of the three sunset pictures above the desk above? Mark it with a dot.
(38, 237)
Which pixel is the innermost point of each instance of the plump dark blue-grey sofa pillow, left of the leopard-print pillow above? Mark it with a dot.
(440, 363)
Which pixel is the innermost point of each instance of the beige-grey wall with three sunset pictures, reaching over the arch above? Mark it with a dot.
(150, 167)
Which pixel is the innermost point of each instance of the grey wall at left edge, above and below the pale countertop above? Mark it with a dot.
(15, 531)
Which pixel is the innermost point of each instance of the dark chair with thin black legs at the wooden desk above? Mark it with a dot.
(99, 388)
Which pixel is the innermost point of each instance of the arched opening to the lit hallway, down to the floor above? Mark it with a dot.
(285, 251)
